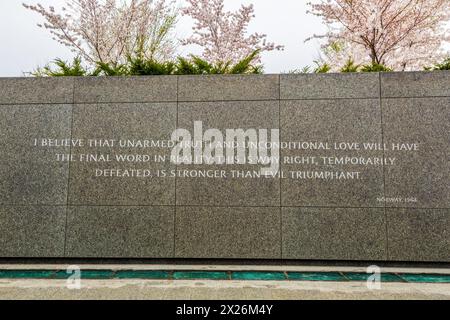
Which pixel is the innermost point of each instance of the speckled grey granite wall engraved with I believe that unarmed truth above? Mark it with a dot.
(95, 167)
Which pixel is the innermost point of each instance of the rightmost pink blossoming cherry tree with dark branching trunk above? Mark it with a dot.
(403, 34)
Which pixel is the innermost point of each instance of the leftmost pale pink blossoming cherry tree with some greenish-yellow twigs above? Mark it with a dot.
(108, 31)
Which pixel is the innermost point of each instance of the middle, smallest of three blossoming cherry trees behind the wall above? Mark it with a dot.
(223, 34)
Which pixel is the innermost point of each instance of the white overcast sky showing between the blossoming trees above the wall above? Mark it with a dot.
(24, 46)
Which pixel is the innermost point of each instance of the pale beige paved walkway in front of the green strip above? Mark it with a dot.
(196, 289)
